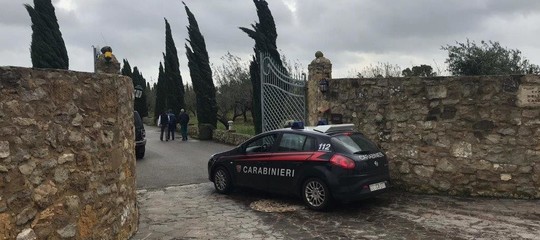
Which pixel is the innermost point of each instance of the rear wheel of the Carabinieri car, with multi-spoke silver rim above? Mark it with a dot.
(316, 194)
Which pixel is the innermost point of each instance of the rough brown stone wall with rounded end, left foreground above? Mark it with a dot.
(67, 163)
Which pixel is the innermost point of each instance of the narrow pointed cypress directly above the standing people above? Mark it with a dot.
(174, 85)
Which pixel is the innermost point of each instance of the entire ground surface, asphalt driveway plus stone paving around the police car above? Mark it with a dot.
(176, 201)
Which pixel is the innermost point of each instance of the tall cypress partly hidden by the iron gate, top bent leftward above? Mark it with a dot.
(264, 33)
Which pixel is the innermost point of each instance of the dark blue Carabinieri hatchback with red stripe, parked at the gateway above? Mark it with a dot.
(320, 164)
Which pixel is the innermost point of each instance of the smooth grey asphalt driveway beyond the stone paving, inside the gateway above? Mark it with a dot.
(168, 163)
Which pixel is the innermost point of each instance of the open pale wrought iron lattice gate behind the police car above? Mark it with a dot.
(283, 98)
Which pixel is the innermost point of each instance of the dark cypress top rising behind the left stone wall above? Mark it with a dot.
(47, 49)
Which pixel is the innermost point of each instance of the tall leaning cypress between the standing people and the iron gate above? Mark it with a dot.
(200, 72)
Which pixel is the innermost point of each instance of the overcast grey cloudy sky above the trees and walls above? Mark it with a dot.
(353, 34)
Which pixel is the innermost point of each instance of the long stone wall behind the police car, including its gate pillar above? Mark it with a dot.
(476, 136)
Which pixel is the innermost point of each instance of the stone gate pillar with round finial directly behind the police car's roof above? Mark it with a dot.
(317, 105)
